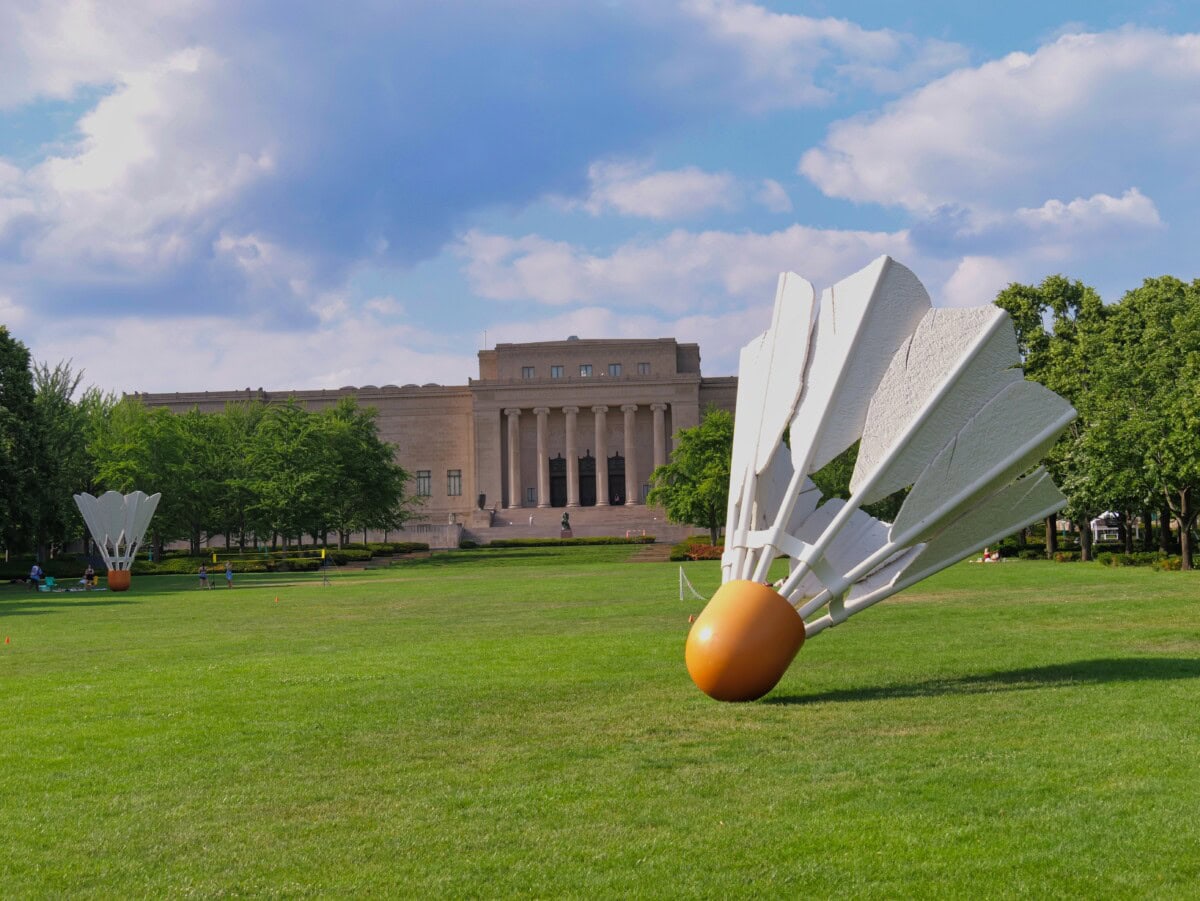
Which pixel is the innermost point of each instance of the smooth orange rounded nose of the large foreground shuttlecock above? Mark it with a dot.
(743, 642)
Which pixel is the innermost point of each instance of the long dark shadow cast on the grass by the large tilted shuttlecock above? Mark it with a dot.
(1082, 672)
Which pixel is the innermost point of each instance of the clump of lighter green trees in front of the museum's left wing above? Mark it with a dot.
(271, 471)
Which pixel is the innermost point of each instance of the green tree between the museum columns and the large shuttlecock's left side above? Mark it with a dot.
(694, 486)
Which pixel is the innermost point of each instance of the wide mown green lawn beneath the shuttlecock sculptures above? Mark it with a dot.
(521, 723)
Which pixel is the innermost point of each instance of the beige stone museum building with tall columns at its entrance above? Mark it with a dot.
(560, 424)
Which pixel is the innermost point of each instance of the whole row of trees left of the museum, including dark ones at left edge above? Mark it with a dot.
(253, 473)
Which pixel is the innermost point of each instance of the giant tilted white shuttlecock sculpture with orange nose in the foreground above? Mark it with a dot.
(937, 399)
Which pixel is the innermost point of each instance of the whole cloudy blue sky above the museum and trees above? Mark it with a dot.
(217, 196)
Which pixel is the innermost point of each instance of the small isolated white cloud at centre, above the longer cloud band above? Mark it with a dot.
(633, 190)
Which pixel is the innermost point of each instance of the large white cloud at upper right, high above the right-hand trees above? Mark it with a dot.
(1081, 117)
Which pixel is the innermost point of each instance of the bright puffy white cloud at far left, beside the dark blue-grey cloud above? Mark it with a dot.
(133, 197)
